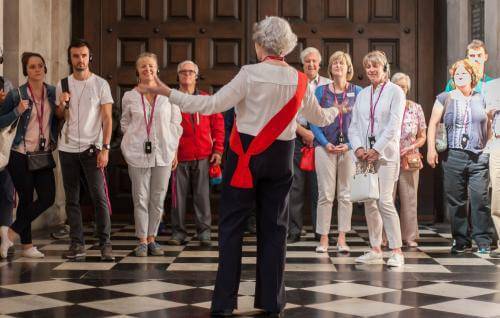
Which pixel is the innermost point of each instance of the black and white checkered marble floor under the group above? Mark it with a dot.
(433, 283)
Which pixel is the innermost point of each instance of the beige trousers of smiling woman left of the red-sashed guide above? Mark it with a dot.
(149, 189)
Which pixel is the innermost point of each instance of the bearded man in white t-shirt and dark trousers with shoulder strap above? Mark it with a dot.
(86, 105)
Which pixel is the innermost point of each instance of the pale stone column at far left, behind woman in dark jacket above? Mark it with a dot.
(42, 26)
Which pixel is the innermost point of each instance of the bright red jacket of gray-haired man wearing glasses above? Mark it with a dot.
(202, 135)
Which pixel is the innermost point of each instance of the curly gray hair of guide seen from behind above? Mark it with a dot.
(274, 35)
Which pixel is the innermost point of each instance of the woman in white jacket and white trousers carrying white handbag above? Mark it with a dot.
(374, 134)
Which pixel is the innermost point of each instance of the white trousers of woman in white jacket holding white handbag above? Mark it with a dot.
(382, 213)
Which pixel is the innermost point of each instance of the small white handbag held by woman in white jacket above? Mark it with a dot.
(364, 183)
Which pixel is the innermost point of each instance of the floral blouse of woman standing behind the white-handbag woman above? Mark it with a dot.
(413, 122)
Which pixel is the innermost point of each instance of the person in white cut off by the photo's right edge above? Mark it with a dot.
(492, 95)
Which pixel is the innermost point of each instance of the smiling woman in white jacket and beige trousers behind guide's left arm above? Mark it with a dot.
(151, 128)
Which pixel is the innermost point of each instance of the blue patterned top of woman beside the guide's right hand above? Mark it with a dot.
(326, 99)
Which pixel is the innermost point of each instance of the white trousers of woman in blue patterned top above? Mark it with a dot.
(333, 170)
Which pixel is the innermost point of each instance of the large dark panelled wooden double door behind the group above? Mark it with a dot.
(217, 35)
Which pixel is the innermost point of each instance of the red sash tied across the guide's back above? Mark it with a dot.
(242, 177)
